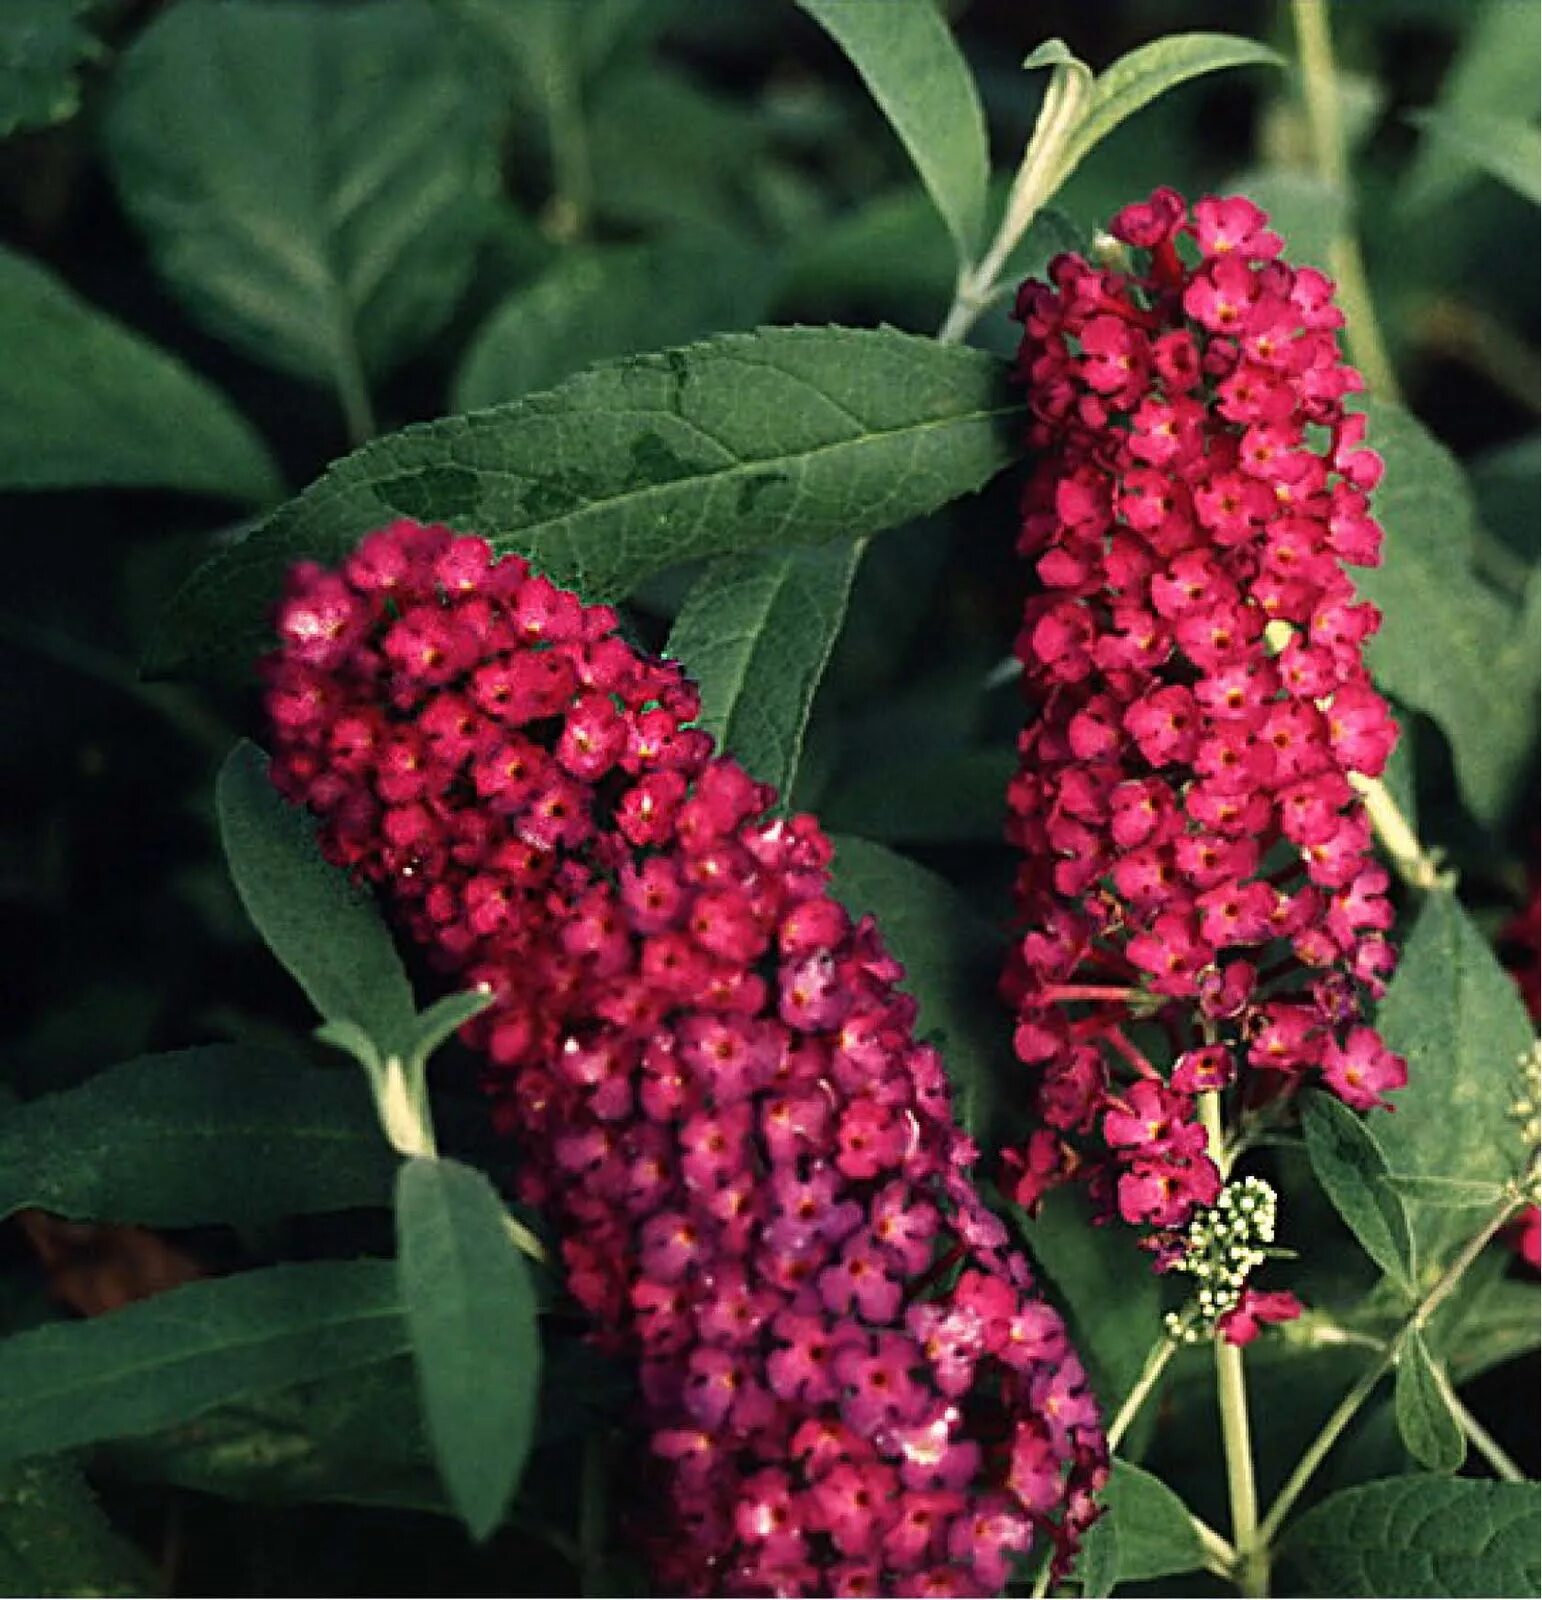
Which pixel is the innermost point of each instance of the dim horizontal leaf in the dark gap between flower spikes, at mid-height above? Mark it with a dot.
(927, 801)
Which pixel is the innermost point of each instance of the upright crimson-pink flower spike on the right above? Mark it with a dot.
(1197, 876)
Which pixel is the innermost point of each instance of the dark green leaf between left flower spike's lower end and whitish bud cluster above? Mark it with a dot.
(1106, 1284)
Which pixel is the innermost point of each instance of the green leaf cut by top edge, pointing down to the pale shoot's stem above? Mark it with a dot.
(914, 70)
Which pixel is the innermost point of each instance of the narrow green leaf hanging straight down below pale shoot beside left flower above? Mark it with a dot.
(473, 1313)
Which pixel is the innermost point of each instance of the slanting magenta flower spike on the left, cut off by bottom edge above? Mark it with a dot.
(713, 1078)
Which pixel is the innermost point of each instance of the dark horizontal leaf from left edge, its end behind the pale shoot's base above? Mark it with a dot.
(222, 1134)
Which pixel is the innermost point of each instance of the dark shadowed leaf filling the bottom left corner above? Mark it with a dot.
(57, 1542)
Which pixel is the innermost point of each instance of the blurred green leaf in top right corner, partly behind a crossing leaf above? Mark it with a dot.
(1493, 76)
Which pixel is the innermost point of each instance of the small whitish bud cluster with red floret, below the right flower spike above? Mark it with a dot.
(1221, 1249)
